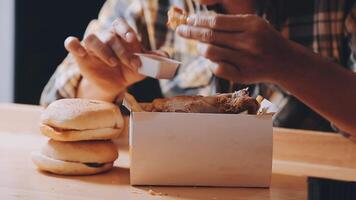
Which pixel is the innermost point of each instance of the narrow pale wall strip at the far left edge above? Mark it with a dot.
(6, 50)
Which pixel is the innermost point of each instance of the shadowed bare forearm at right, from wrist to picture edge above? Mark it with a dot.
(325, 86)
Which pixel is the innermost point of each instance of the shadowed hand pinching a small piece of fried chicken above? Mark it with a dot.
(246, 48)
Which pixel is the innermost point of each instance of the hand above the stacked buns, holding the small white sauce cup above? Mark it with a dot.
(108, 65)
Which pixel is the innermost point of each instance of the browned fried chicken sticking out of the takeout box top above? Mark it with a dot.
(223, 103)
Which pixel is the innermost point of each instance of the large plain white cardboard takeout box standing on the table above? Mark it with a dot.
(195, 149)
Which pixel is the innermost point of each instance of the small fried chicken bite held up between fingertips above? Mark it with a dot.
(176, 17)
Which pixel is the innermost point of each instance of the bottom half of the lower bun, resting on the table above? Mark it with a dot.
(46, 163)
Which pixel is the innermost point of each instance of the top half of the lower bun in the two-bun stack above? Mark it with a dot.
(83, 151)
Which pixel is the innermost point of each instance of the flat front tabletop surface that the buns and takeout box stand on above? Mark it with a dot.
(21, 180)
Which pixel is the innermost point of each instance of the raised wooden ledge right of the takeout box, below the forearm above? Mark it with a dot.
(317, 154)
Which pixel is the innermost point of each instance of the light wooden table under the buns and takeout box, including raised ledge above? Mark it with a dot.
(19, 178)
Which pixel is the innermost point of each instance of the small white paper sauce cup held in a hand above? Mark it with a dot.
(157, 67)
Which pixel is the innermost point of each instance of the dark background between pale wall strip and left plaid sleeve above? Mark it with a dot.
(41, 27)
